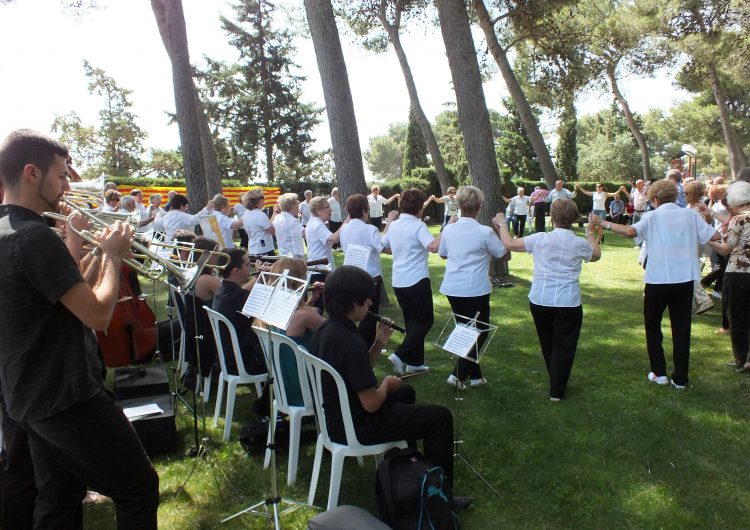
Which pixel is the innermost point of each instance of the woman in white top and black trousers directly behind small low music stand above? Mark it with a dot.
(468, 246)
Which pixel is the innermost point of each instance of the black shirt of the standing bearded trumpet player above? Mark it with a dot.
(49, 360)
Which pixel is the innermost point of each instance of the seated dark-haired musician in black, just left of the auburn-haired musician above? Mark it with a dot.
(229, 300)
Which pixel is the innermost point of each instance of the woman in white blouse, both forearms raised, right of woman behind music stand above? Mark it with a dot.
(555, 296)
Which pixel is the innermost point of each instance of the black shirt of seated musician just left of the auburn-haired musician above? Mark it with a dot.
(229, 301)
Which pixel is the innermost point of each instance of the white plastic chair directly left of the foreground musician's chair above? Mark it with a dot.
(280, 402)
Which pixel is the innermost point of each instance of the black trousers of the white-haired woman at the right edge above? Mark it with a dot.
(736, 298)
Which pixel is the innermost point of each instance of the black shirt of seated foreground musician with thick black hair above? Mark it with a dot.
(338, 343)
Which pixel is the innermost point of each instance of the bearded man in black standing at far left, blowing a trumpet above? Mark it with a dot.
(50, 367)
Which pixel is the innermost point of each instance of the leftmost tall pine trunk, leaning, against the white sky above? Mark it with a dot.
(170, 19)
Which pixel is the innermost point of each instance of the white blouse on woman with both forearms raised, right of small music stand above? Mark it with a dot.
(558, 256)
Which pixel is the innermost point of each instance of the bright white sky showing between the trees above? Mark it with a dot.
(43, 48)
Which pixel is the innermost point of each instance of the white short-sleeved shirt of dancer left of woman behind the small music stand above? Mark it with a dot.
(408, 237)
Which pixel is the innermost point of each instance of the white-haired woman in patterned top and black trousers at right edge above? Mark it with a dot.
(736, 288)
